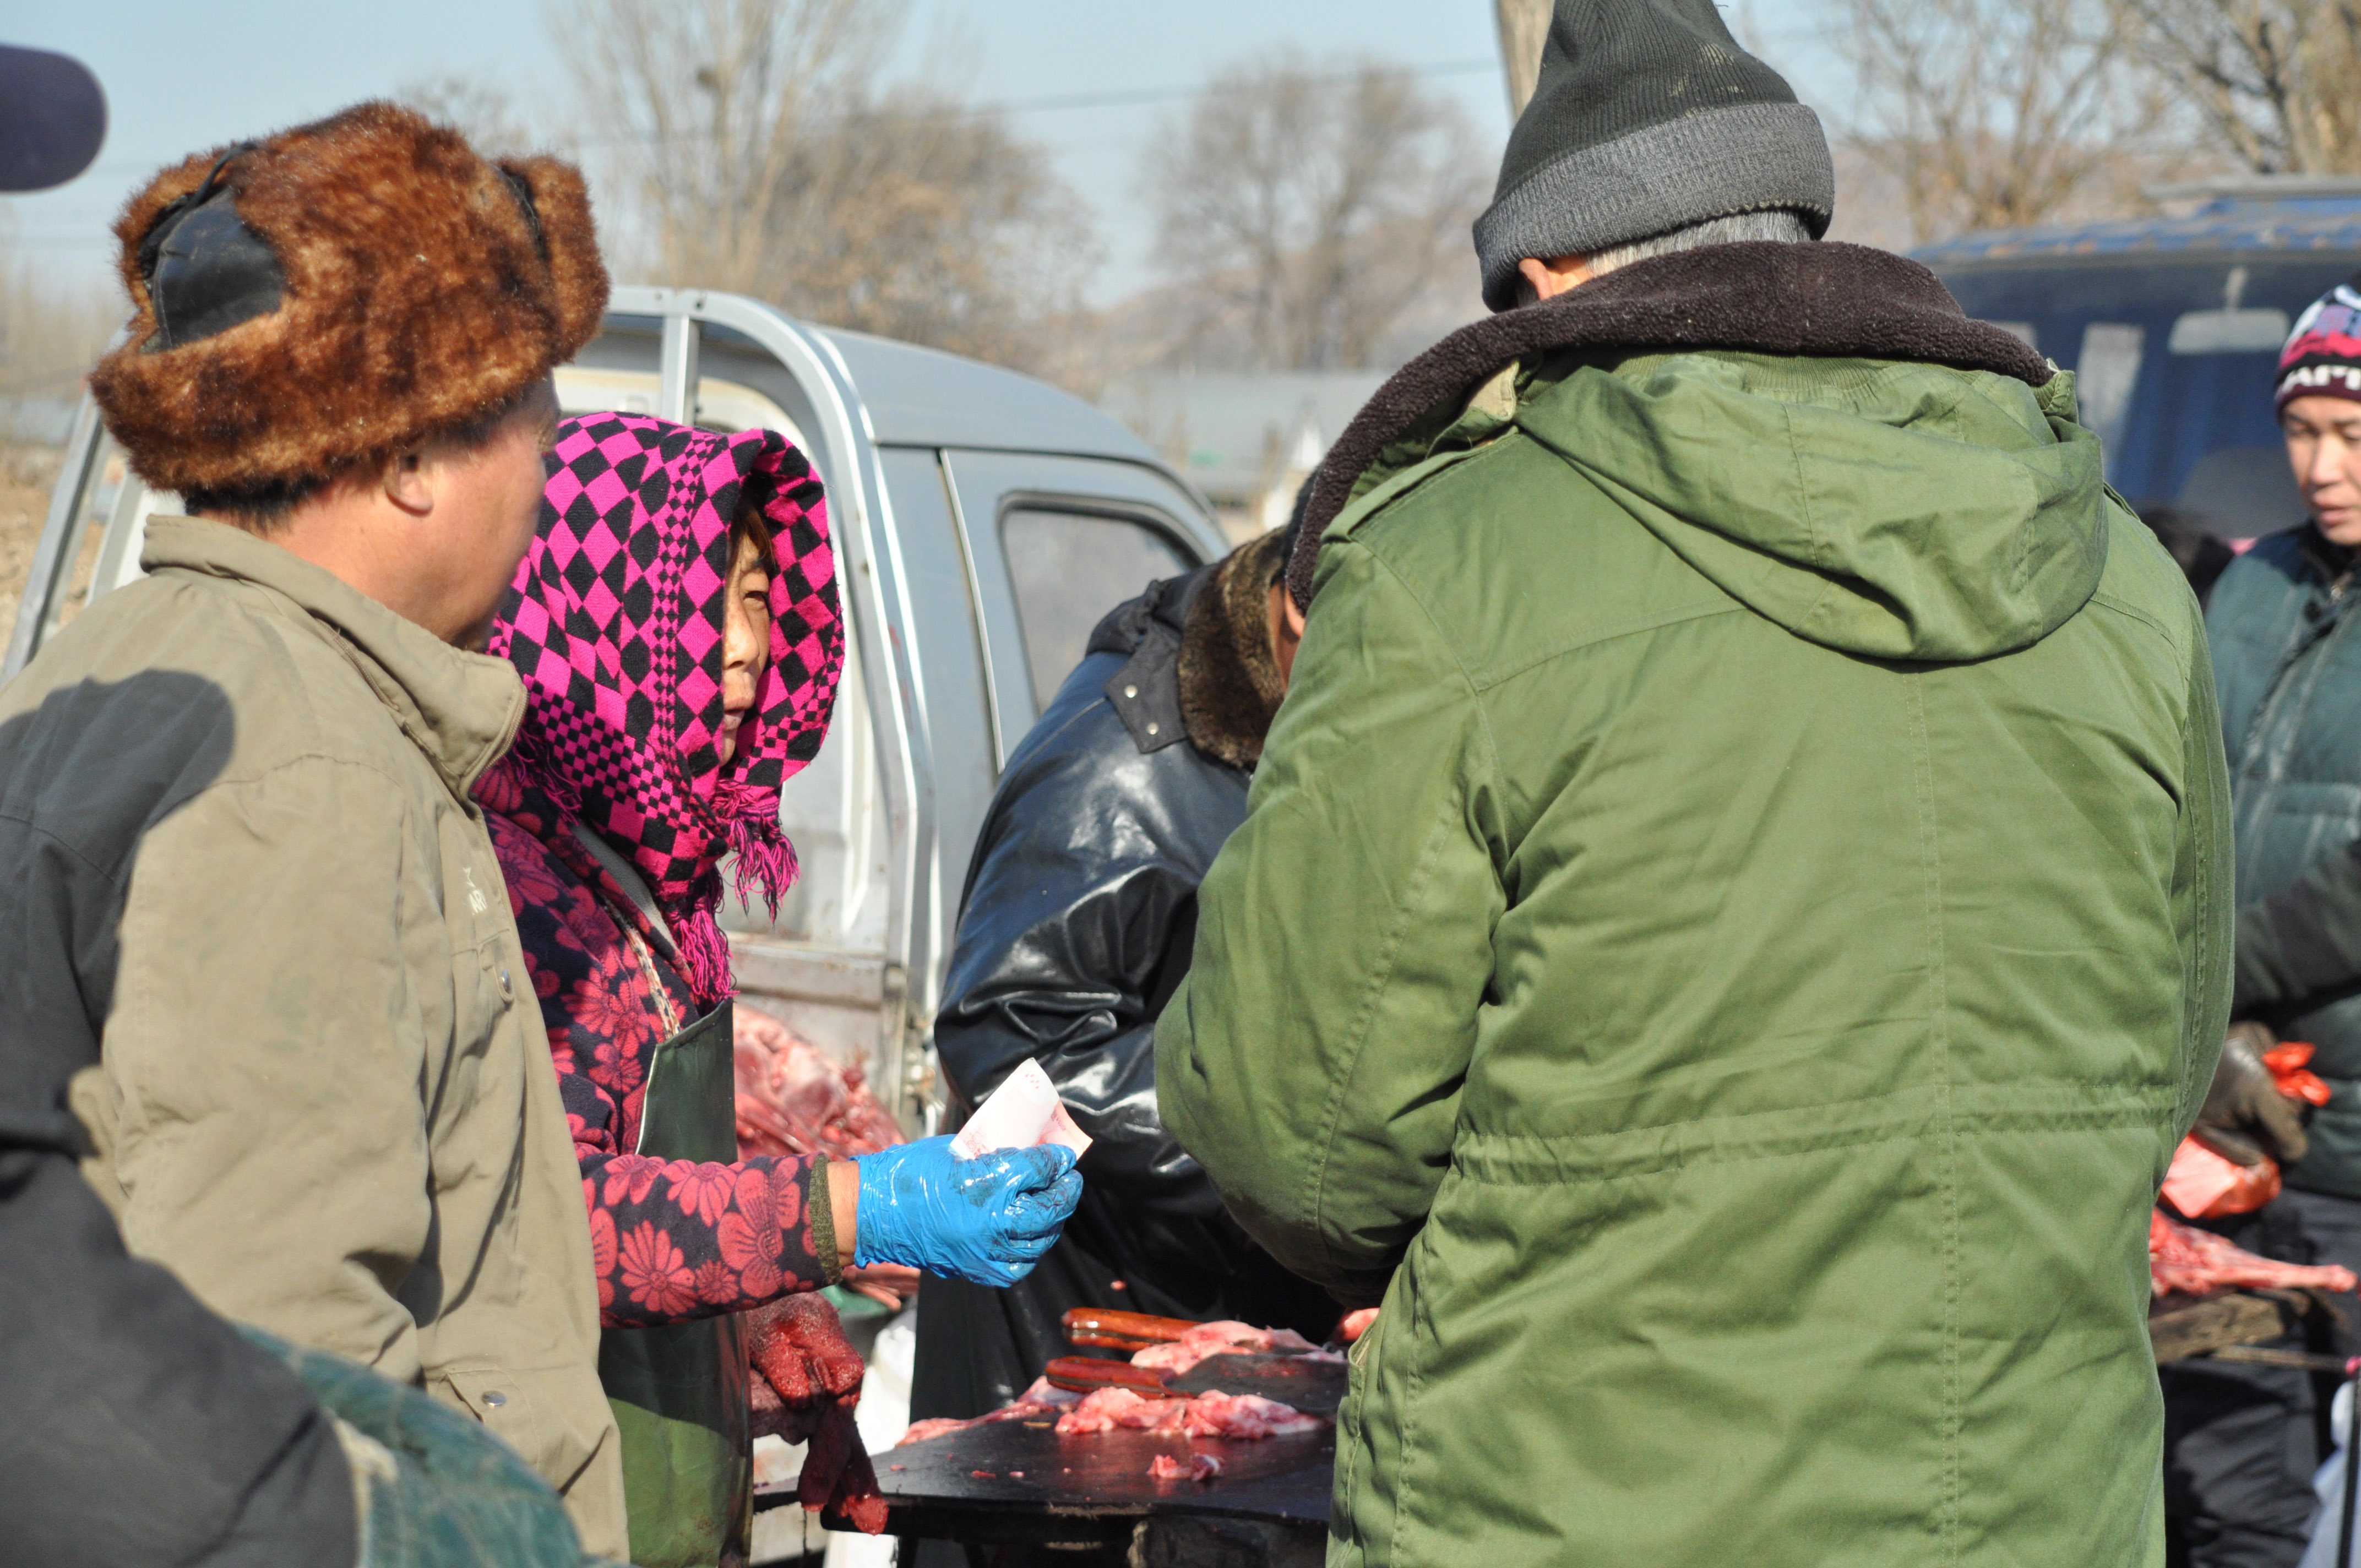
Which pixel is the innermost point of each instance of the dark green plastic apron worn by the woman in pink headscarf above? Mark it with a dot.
(679, 1392)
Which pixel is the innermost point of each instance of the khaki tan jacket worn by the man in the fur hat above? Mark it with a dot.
(266, 903)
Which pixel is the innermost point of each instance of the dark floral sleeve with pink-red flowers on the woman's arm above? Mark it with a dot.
(672, 1239)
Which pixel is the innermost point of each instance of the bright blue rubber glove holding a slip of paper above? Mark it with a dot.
(986, 1220)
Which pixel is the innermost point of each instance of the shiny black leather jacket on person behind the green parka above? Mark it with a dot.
(1075, 929)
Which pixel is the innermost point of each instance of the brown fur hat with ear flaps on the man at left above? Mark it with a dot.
(419, 299)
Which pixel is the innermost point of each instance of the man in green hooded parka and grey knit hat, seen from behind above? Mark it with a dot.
(1734, 913)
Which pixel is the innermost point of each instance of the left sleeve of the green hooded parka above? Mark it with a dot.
(1316, 1052)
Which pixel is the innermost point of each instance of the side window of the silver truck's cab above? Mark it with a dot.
(1068, 573)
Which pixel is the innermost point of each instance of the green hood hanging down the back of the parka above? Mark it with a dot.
(1897, 511)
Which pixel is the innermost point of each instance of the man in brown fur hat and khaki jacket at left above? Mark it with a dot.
(259, 934)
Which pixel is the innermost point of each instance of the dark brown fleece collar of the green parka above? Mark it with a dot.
(1767, 299)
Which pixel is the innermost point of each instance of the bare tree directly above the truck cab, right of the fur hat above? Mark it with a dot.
(766, 157)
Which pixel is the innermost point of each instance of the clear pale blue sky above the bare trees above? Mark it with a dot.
(185, 77)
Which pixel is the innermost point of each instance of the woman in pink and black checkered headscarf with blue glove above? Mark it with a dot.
(679, 634)
